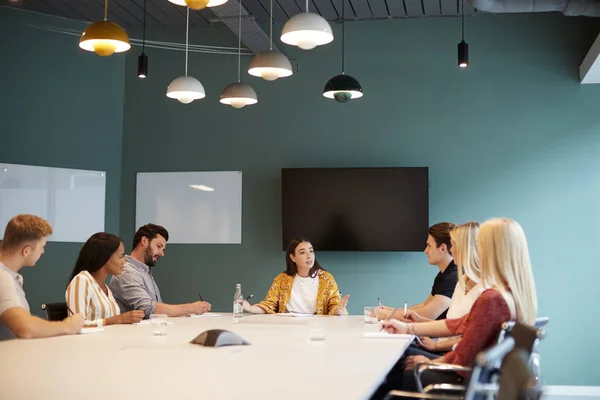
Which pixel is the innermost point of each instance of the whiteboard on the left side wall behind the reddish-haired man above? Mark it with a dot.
(71, 200)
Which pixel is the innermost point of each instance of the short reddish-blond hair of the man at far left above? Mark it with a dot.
(23, 229)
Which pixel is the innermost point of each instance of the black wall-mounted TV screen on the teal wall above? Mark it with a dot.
(356, 209)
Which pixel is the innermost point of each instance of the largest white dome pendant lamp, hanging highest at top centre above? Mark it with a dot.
(306, 30)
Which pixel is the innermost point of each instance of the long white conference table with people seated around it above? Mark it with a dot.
(126, 362)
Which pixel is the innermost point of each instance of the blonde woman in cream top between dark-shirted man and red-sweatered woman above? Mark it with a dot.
(463, 241)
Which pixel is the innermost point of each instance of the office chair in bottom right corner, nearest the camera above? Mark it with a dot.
(484, 382)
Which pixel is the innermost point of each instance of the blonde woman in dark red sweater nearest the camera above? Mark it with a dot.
(506, 271)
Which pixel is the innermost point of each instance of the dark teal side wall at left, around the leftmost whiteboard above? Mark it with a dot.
(59, 107)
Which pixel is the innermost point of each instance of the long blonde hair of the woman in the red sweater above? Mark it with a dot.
(506, 266)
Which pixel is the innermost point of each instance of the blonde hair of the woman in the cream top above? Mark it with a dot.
(465, 252)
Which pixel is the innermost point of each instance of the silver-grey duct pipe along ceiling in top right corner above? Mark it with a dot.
(589, 8)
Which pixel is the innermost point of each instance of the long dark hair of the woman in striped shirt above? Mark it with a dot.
(96, 252)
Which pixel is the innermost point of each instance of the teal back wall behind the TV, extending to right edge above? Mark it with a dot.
(514, 135)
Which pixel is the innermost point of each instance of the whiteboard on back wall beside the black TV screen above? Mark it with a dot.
(195, 207)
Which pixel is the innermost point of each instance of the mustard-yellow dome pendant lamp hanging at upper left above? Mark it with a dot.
(104, 38)
